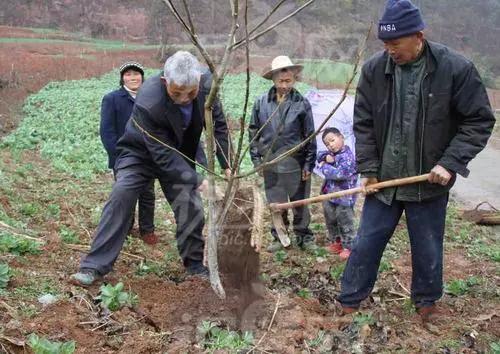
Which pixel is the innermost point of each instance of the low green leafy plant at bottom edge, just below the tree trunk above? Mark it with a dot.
(216, 338)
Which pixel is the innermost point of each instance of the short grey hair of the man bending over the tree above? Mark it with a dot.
(183, 69)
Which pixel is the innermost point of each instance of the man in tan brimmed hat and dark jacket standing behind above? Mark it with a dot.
(281, 119)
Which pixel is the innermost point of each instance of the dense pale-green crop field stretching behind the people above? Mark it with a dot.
(62, 120)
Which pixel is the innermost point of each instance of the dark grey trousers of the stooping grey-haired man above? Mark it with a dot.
(113, 227)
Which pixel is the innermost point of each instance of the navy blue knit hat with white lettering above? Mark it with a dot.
(401, 18)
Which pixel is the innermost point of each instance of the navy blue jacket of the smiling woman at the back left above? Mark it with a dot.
(116, 109)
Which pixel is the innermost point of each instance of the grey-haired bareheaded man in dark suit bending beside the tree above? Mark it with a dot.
(168, 110)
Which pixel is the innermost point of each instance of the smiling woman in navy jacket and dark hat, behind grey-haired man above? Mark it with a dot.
(115, 112)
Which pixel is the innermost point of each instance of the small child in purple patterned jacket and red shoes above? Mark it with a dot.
(338, 165)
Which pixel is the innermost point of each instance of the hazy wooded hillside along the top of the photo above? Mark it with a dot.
(326, 29)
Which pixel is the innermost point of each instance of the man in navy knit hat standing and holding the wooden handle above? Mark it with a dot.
(420, 108)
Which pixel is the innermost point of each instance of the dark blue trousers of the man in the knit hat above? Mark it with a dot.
(426, 223)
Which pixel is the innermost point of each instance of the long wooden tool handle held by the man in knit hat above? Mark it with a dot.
(320, 198)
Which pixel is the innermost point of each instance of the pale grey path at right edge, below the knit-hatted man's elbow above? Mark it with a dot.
(483, 183)
